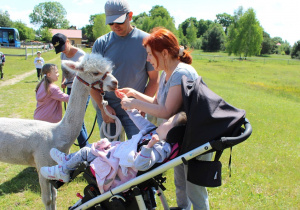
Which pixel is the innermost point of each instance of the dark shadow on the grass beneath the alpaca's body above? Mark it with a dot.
(25, 180)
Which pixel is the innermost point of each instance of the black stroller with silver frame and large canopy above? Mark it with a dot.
(212, 126)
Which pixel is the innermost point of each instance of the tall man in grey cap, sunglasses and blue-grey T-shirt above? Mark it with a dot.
(123, 46)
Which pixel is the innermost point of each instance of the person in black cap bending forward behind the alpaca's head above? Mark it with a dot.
(68, 52)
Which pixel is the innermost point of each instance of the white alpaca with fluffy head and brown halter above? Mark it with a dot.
(28, 142)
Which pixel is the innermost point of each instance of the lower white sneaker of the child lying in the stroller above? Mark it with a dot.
(55, 173)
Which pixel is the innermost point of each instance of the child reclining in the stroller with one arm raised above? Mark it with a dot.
(121, 157)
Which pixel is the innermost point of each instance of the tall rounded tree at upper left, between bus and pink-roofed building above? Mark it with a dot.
(50, 15)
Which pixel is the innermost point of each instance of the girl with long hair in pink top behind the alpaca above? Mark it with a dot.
(49, 96)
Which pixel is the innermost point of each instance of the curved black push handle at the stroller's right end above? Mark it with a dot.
(226, 142)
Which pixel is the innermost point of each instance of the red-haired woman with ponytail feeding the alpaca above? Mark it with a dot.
(165, 54)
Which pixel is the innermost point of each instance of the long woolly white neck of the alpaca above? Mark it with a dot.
(73, 118)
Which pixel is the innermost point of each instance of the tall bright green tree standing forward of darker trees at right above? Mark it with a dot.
(245, 35)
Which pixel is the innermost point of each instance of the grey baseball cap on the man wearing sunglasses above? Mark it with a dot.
(116, 10)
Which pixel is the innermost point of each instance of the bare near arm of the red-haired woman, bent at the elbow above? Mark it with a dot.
(171, 106)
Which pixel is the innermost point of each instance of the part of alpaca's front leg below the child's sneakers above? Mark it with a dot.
(48, 196)
